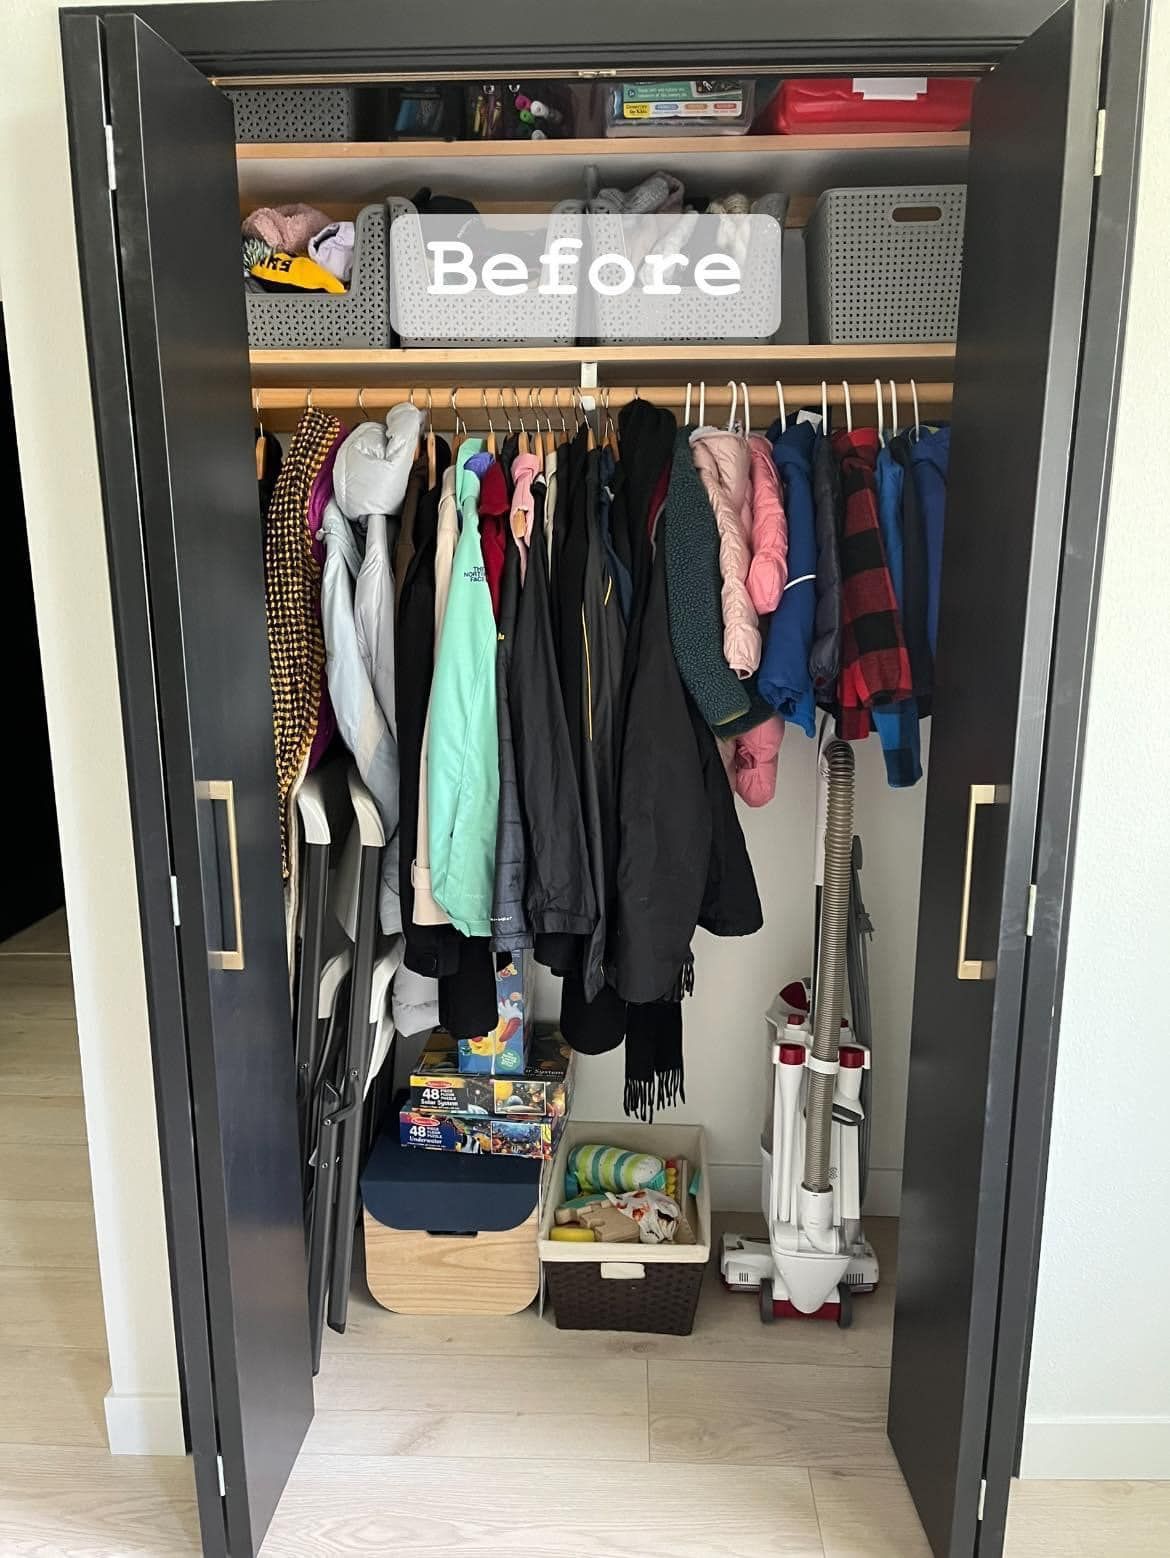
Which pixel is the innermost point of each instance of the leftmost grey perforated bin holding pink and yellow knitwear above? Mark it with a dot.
(359, 317)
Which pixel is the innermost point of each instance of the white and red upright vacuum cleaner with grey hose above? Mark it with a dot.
(816, 1149)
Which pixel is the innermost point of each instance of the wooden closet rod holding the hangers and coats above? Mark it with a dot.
(524, 398)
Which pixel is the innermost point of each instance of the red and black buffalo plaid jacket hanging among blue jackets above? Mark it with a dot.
(875, 661)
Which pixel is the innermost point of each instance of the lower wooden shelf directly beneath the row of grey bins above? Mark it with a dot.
(621, 365)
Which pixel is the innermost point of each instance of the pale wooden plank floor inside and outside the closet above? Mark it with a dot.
(495, 1439)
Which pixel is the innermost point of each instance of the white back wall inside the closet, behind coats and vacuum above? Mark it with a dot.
(736, 979)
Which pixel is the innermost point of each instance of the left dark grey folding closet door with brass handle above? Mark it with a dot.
(180, 239)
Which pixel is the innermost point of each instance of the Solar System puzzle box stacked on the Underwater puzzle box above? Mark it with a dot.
(541, 1091)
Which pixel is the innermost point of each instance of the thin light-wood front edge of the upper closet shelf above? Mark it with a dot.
(664, 147)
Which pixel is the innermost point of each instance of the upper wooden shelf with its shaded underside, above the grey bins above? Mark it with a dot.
(351, 174)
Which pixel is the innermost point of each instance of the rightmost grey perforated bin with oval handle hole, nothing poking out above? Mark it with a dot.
(886, 264)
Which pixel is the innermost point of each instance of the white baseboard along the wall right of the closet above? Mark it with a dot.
(1102, 1450)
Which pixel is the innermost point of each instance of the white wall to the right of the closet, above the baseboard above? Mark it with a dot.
(1099, 1398)
